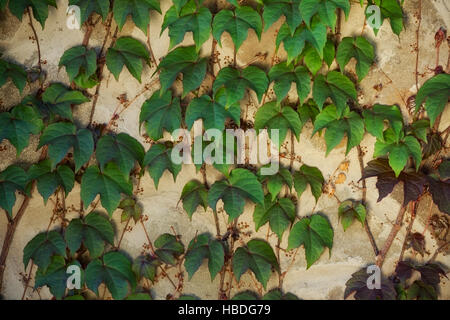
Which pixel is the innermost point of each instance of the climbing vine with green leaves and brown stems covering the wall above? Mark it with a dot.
(108, 166)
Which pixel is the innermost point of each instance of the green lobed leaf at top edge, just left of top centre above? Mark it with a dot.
(191, 18)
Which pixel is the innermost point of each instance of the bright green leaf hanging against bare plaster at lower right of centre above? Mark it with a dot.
(314, 234)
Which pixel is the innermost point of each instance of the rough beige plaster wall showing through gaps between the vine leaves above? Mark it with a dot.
(351, 250)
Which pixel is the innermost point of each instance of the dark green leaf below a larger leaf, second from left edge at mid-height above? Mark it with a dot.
(49, 180)
